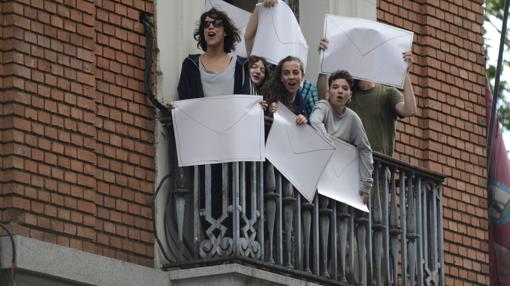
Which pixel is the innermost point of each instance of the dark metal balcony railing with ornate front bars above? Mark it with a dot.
(257, 219)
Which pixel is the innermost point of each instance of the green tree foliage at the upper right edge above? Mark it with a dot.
(494, 10)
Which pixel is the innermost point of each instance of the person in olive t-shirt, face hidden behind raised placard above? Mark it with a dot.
(379, 106)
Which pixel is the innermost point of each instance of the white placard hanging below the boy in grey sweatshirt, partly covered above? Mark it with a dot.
(340, 179)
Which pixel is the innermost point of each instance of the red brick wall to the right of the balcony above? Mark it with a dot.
(448, 133)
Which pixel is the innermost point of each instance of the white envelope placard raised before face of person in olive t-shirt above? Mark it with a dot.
(367, 49)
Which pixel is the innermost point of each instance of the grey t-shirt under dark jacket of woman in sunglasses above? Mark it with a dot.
(215, 84)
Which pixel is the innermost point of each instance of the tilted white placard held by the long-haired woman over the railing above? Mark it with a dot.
(298, 152)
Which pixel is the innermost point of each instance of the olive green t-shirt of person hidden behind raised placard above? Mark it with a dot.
(376, 108)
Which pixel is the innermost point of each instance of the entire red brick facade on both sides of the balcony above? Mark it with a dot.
(77, 134)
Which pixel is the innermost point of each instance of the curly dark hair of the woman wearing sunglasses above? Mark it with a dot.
(231, 31)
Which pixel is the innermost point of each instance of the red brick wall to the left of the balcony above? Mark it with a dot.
(76, 148)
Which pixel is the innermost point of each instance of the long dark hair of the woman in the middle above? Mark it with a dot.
(274, 90)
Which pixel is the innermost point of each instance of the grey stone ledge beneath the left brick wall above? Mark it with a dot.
(43, 263)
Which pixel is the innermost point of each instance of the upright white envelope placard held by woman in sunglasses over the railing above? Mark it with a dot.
(219, 129)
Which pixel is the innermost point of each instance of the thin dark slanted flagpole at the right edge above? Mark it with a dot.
(496, 90)
